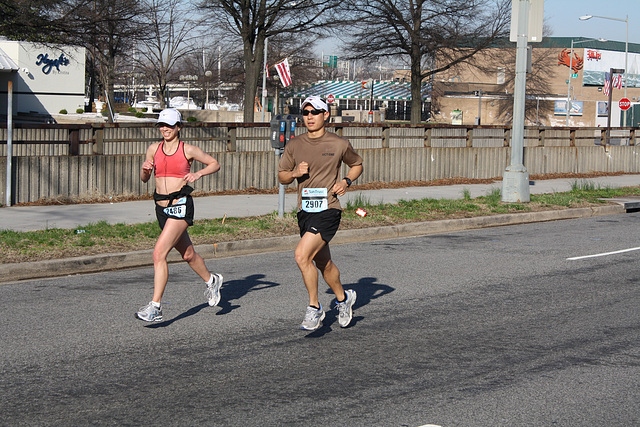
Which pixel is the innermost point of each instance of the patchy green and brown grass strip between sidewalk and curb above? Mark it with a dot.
(101, 237)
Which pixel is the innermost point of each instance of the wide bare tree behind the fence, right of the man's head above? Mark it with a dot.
(420, 31)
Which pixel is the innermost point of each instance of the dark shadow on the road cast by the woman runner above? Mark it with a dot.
(231, 290)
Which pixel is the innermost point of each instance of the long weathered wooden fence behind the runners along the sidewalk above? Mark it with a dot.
(51, 161)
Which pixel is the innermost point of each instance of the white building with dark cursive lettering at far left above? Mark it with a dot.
(48, 79)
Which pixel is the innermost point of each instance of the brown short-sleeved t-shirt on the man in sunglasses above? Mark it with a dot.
(324, 155)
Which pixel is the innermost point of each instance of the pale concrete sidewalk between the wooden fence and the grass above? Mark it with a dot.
(30, 218)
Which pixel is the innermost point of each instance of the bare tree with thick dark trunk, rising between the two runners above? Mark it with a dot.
(253, 21)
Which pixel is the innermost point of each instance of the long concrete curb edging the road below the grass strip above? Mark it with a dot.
(116, 261)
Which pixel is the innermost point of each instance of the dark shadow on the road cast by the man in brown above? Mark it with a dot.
(366, 290)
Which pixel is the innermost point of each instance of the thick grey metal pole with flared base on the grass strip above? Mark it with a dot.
(515, 182)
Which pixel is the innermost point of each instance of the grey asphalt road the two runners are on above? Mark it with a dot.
(490, 327)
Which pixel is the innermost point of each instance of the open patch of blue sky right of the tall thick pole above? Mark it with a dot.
(563, 18)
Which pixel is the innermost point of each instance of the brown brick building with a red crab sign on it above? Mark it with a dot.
(481, 92)
